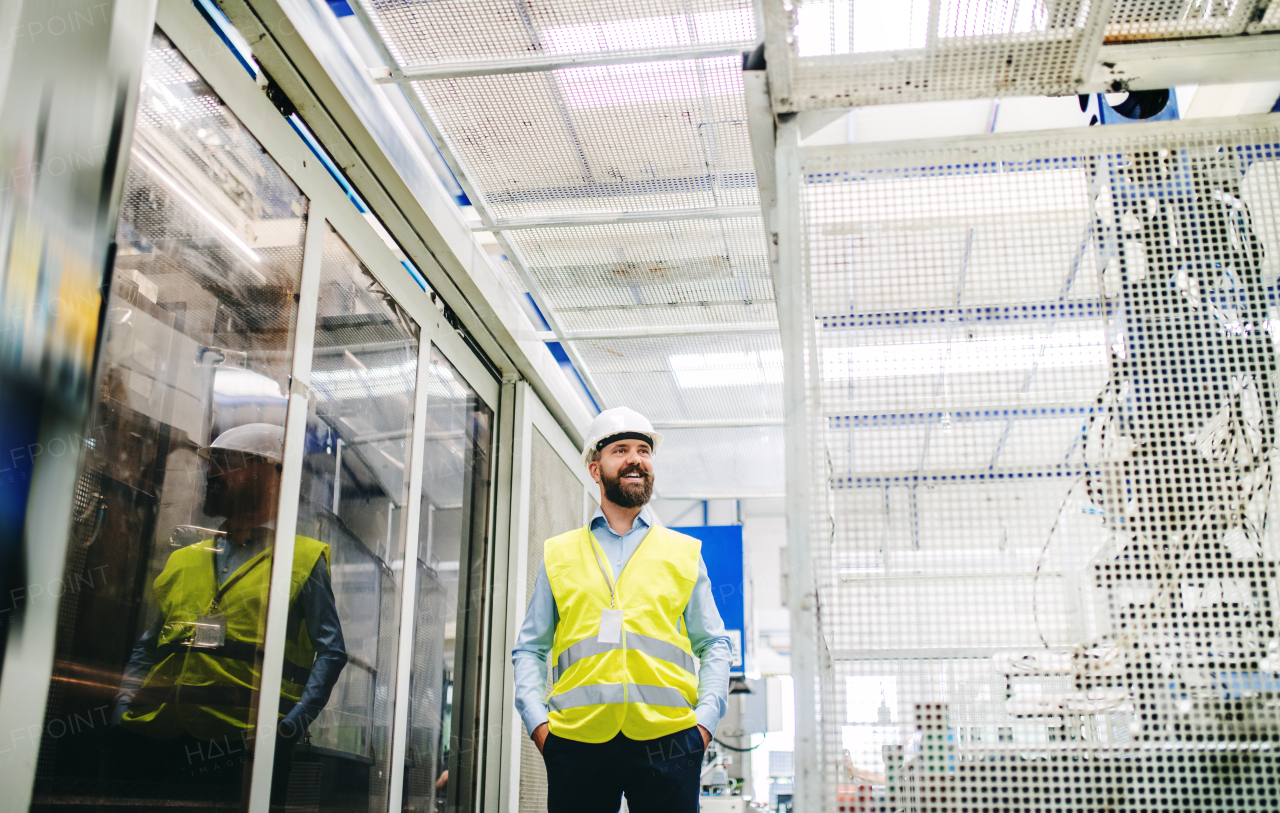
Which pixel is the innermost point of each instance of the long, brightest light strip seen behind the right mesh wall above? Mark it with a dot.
(1005, 353)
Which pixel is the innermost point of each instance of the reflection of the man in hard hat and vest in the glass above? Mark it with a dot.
(186, 698)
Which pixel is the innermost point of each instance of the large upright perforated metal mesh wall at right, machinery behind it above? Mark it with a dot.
(1044, 378)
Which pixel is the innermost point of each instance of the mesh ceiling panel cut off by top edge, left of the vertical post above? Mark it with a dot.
(502, 31)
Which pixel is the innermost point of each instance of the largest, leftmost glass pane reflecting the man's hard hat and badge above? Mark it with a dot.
(159, 637)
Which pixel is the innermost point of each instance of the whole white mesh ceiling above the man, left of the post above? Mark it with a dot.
(606, 145)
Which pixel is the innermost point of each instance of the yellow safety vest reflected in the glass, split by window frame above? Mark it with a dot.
(209, 693)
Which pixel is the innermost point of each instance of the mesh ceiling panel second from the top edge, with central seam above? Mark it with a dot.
(641, 138)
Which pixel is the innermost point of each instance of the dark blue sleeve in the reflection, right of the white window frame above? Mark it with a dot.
(324, 629)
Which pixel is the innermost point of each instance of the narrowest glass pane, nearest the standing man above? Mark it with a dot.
(451, 547)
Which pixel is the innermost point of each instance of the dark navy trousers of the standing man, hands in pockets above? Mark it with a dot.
(657, 777)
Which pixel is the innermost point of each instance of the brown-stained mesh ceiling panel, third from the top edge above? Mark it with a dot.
(652, 268)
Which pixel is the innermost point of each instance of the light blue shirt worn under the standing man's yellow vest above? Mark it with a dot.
(702, 622)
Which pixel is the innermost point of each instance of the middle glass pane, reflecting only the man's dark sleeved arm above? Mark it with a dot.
(355, 488)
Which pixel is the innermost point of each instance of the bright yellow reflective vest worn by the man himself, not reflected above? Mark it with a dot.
(644, 686)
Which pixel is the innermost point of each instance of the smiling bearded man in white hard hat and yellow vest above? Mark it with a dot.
(623, 606)
